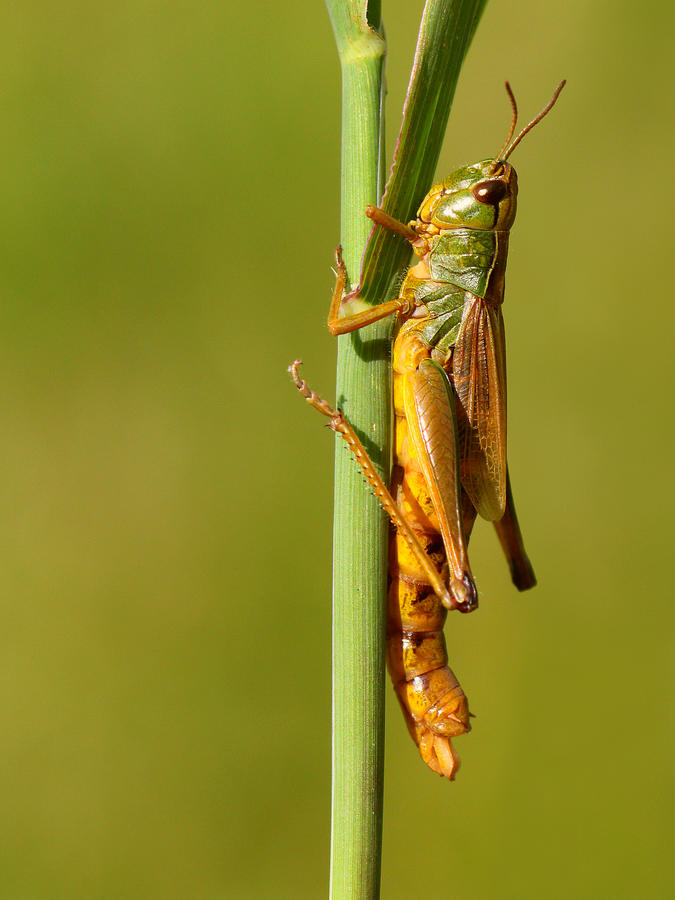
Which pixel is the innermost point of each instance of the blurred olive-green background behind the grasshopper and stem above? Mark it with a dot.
(169, 182)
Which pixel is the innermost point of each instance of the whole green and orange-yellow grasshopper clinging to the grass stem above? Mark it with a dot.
(449, 366)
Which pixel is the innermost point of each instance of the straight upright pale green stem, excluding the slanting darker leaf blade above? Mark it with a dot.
(360, 528)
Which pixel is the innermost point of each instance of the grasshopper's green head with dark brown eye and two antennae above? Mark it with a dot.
(482, 195)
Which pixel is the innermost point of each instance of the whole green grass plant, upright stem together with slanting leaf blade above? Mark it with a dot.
(364, 395)
